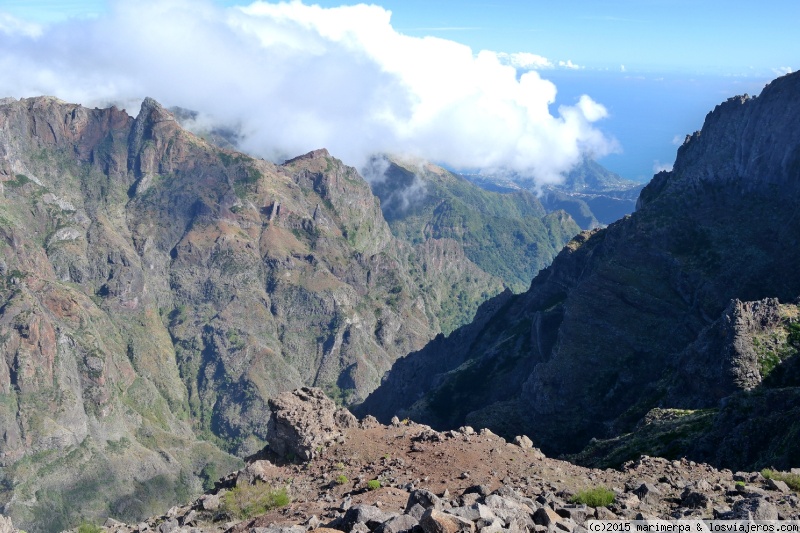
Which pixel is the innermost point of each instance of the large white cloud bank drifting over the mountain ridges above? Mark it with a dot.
(296, 77)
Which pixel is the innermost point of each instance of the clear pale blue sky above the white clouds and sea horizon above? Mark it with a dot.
(730, 37)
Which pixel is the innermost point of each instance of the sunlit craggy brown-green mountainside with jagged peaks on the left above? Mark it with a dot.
(155, 288)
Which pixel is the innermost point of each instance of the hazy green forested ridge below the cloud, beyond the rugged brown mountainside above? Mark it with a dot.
(510, 235)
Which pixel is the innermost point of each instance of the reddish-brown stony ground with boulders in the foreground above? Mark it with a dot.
(355, 477)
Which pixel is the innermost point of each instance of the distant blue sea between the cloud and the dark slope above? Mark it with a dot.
(650, 114)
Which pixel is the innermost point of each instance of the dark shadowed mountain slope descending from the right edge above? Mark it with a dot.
(601, 337)
